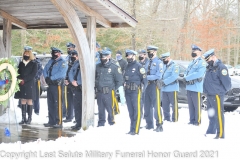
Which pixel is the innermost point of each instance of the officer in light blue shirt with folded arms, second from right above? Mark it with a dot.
(193, 78)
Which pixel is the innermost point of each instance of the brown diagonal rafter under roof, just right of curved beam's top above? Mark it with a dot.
(89, 12)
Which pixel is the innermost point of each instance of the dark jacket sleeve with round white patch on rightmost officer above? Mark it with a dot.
(224, 78)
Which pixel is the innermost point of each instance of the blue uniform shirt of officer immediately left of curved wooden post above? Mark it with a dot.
(73, 71)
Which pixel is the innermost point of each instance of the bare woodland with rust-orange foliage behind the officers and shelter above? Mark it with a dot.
(172, 25)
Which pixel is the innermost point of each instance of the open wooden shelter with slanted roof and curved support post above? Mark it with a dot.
(72, 14)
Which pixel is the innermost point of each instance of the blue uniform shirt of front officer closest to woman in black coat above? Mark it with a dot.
(58, 71)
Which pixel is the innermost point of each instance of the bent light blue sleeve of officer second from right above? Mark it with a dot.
(198, 73)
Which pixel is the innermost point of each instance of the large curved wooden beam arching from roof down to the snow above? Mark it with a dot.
(87, 68)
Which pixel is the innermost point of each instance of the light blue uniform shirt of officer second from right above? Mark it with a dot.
(196, 69)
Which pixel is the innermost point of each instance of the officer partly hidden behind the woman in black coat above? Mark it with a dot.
(37, 83)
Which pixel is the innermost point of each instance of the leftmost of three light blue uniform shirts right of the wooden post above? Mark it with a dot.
(156, 69)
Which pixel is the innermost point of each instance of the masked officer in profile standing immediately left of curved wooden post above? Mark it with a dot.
(76, 82)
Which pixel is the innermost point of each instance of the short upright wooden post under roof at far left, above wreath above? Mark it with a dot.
(7, 32)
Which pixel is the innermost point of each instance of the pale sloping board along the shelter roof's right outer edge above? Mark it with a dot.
(118, 12)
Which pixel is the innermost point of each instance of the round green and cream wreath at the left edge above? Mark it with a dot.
(8, 79)
